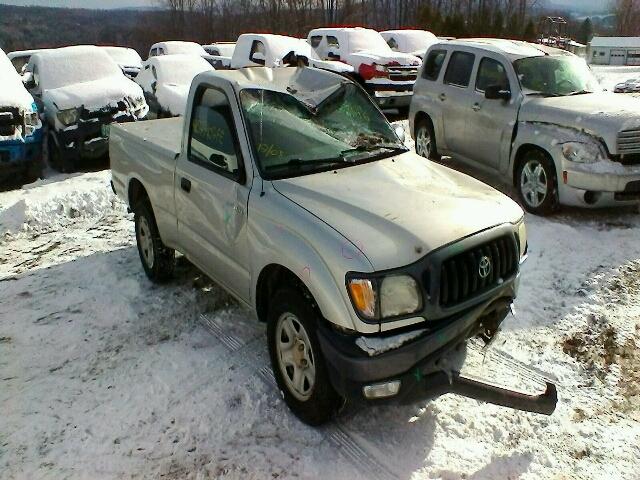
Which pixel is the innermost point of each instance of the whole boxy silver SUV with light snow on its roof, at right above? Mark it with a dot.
(532, 115)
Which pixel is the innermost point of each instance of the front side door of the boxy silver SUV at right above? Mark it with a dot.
(489, 123)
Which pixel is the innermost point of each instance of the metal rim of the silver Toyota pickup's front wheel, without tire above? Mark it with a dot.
(295, 356)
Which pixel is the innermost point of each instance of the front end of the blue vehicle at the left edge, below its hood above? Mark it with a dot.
(20, 141)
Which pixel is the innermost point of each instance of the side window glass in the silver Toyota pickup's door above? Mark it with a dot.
(212, 139)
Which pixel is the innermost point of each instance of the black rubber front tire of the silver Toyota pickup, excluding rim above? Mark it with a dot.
(323, 402)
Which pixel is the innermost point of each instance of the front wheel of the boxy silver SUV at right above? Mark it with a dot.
(535, 169)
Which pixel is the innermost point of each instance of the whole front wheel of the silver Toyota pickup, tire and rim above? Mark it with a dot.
(297, 360)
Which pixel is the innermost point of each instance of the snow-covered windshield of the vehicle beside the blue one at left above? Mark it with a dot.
(78, 64)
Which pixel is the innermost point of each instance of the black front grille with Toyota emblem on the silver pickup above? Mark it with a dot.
(460, 276)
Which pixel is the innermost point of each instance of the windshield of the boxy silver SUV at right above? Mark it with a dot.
(555, 76)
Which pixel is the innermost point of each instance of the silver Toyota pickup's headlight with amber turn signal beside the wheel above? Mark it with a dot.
(384, 297)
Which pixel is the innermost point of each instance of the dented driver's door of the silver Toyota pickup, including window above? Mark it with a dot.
(212, 192)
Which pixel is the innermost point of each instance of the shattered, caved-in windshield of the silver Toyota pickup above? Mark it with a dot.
(293, 137)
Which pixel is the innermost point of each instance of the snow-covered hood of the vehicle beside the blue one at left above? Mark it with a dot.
(96, 94)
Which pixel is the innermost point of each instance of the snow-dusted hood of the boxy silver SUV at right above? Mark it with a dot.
(602, 114)
